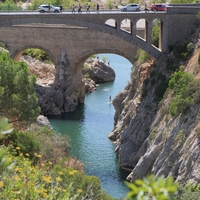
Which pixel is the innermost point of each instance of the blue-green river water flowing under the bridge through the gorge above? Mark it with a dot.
(89, 126)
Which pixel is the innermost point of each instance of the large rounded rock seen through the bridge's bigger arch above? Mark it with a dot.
(98, 71)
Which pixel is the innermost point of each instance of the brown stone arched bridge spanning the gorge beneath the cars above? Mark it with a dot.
(70, 39)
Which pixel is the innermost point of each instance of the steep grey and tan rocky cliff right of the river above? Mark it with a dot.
(148, 139)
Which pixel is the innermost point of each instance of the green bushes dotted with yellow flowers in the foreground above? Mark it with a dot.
(23, 176)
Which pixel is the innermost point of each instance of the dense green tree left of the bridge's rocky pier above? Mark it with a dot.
(18, 99)
